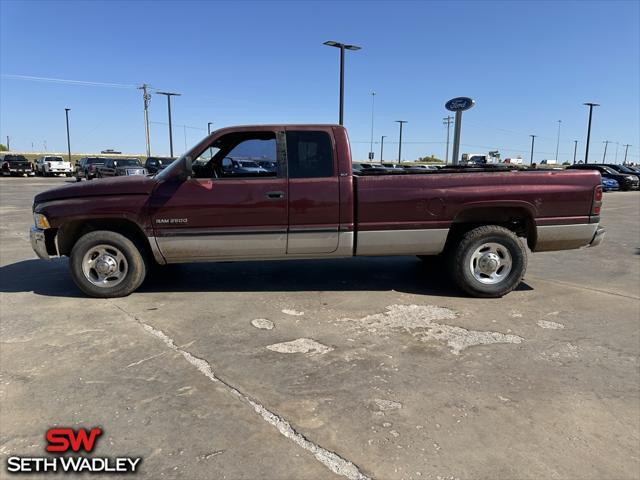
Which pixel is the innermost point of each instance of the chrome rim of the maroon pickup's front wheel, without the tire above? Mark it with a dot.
(104, 266)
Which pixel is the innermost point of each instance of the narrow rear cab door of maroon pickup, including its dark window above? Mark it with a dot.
(314, 195)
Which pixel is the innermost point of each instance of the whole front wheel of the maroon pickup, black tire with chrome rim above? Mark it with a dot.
(121, 271)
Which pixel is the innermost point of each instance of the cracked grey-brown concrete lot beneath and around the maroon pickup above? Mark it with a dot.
(373, 368)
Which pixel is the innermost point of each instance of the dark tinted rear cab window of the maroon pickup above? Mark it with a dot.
(309, 154)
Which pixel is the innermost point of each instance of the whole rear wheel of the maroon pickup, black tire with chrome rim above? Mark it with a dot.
(489, 261)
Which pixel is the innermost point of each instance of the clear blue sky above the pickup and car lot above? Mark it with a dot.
(527, 65)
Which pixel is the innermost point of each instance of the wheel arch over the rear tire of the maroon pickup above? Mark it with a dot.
(516, 219)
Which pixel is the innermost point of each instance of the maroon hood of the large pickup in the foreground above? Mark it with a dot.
(132, 185)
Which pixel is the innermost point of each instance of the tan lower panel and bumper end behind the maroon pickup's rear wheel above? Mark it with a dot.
(568, 237)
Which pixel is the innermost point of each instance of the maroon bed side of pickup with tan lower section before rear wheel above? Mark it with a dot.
(413, 213)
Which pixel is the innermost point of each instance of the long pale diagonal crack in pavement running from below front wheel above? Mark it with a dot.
(329, 459)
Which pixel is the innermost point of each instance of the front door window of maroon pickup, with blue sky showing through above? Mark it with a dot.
(239, 155)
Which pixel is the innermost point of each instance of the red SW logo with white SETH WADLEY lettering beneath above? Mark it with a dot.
(63, 440)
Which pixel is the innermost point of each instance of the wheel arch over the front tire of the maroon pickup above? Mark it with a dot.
(69, 233)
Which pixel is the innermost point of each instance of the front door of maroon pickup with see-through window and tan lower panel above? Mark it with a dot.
(226, 213)
